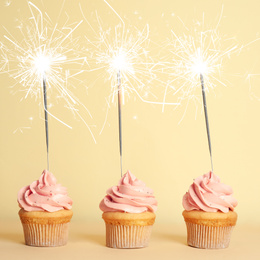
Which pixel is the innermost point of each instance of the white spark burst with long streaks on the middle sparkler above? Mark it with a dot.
(123, 50)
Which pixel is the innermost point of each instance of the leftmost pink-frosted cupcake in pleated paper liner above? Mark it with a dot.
(45, 212)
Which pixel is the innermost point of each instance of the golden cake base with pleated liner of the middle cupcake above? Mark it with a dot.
(128, 230)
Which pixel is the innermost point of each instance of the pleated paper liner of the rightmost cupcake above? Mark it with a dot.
(208, 237)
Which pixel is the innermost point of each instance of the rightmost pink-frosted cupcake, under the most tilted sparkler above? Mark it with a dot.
(209, 212)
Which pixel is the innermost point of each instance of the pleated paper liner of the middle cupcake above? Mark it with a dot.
(122, 236)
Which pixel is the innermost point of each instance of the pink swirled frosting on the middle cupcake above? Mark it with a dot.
(130, 195)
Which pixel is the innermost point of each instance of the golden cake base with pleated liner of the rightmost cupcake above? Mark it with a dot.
(209, 230)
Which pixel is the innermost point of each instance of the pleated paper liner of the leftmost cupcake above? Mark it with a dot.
(46, 235)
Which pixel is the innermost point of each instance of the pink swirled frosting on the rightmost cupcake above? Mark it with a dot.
(208, 194)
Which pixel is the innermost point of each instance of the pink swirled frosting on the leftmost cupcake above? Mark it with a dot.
(44, 195)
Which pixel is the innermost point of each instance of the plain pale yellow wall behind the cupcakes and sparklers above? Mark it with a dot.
(166, 155)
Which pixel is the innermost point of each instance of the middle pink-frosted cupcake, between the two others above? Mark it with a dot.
(128, 212)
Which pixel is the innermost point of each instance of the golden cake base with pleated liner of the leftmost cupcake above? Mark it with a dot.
(45, 229)
